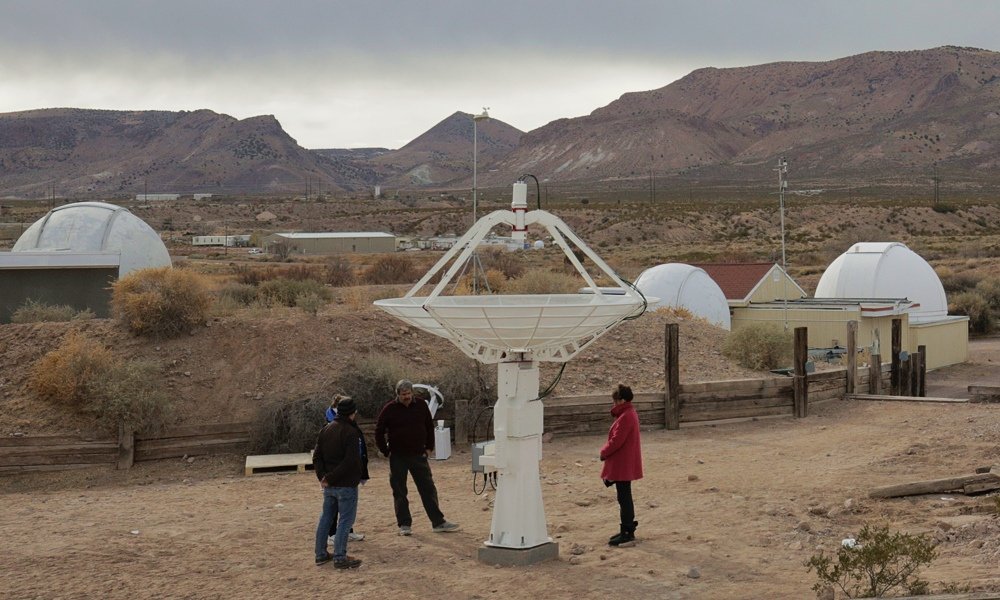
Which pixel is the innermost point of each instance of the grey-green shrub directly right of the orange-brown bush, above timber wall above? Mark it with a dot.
(126, 394)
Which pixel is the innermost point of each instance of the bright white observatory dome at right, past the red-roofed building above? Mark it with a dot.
(885, 270)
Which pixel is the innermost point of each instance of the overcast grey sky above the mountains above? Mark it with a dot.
(379, 73)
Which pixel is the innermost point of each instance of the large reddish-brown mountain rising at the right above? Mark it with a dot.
(879, 115)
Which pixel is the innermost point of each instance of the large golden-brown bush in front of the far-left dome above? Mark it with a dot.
(161, 302)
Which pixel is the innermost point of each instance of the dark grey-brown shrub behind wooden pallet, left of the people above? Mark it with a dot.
(288, 425)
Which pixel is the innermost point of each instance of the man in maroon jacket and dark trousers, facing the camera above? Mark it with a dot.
(404, 432)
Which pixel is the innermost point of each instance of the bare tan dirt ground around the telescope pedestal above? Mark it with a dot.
(725, 511)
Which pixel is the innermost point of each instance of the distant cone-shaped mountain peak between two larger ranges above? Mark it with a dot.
(443, 155)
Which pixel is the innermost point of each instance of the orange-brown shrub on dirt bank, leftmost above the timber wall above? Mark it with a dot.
(64, 375)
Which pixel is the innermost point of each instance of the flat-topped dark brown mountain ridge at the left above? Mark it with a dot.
(78, 152)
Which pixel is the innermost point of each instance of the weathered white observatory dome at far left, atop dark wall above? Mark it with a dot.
(96, 227)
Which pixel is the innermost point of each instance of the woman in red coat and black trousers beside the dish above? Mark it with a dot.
(622, 457)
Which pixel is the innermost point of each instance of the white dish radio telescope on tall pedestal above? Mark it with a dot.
(516, 333)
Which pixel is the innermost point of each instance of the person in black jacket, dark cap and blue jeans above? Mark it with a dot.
(339, 467)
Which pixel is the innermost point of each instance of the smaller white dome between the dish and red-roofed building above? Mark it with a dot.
(685, 286)
